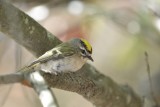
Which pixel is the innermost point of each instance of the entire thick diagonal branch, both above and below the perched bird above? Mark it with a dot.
(88, 82)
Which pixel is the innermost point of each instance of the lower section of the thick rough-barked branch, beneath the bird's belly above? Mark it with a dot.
(97, 88)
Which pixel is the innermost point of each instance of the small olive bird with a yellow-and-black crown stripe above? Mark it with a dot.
(69, 56)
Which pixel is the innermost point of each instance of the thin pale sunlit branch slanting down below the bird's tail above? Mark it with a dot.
(44, 92)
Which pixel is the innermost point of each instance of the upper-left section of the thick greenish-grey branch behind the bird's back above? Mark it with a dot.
(24, 30)
